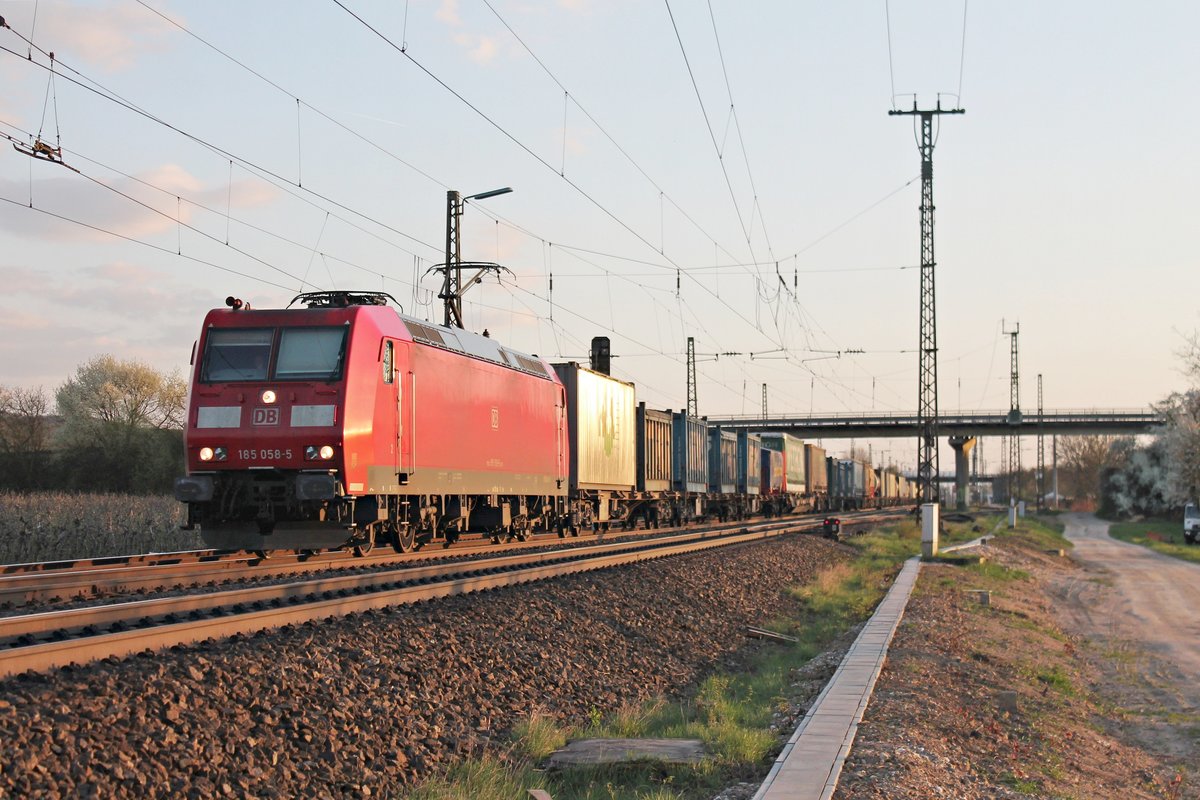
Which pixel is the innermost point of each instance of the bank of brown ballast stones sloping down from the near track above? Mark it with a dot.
(371, 705)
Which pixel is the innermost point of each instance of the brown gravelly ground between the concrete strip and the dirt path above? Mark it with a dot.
(1060, 688)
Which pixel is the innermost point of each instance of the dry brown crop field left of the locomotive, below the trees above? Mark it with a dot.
(57, 526)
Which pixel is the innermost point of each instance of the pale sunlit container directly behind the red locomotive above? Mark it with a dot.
(602, 419)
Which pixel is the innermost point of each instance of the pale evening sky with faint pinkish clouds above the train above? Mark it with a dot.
(724, 171)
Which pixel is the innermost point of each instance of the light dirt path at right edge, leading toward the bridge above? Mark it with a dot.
(1142, 611)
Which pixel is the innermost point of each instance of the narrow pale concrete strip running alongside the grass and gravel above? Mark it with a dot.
(812, 761)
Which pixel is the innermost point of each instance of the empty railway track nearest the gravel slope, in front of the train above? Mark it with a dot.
(307, 601)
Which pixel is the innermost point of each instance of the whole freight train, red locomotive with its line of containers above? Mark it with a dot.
(345, 424)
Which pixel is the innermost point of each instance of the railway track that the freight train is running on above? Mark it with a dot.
(113, 578)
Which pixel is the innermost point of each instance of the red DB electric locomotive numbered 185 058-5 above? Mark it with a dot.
(347, 424)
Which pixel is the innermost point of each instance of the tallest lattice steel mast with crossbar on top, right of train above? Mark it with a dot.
(927, 378)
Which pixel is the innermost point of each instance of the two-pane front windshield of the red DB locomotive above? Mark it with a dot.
(302, 354)
